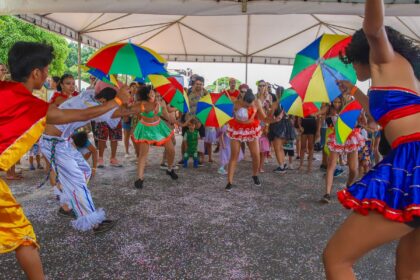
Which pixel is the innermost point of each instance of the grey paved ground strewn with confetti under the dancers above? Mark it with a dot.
(192, 228)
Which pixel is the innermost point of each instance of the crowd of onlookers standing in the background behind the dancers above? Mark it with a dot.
(289, 140)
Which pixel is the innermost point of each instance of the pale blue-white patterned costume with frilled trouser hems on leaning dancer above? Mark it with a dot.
(72, 170)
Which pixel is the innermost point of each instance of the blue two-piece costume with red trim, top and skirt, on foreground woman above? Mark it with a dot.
(392, 187)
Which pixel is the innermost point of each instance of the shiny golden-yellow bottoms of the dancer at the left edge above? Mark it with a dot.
(15, 228)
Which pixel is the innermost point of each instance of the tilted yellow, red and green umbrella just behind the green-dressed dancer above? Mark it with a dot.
(171, 91)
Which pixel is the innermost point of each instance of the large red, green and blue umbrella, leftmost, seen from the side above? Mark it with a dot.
(126, 58)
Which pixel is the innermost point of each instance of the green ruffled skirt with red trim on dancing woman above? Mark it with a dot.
(156, 133)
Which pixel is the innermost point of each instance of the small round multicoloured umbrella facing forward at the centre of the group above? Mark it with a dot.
(214, 109)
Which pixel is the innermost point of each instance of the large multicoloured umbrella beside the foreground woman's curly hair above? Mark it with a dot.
(317, 68)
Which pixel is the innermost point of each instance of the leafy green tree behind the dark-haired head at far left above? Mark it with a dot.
(13, 30)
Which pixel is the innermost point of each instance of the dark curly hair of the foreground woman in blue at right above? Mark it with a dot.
(358, 49)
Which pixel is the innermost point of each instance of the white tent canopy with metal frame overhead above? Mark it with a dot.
(258, 31)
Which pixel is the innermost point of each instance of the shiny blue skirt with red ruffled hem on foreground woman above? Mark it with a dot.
(392, 187)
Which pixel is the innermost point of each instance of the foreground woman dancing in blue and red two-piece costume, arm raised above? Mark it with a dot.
(386, 201)
